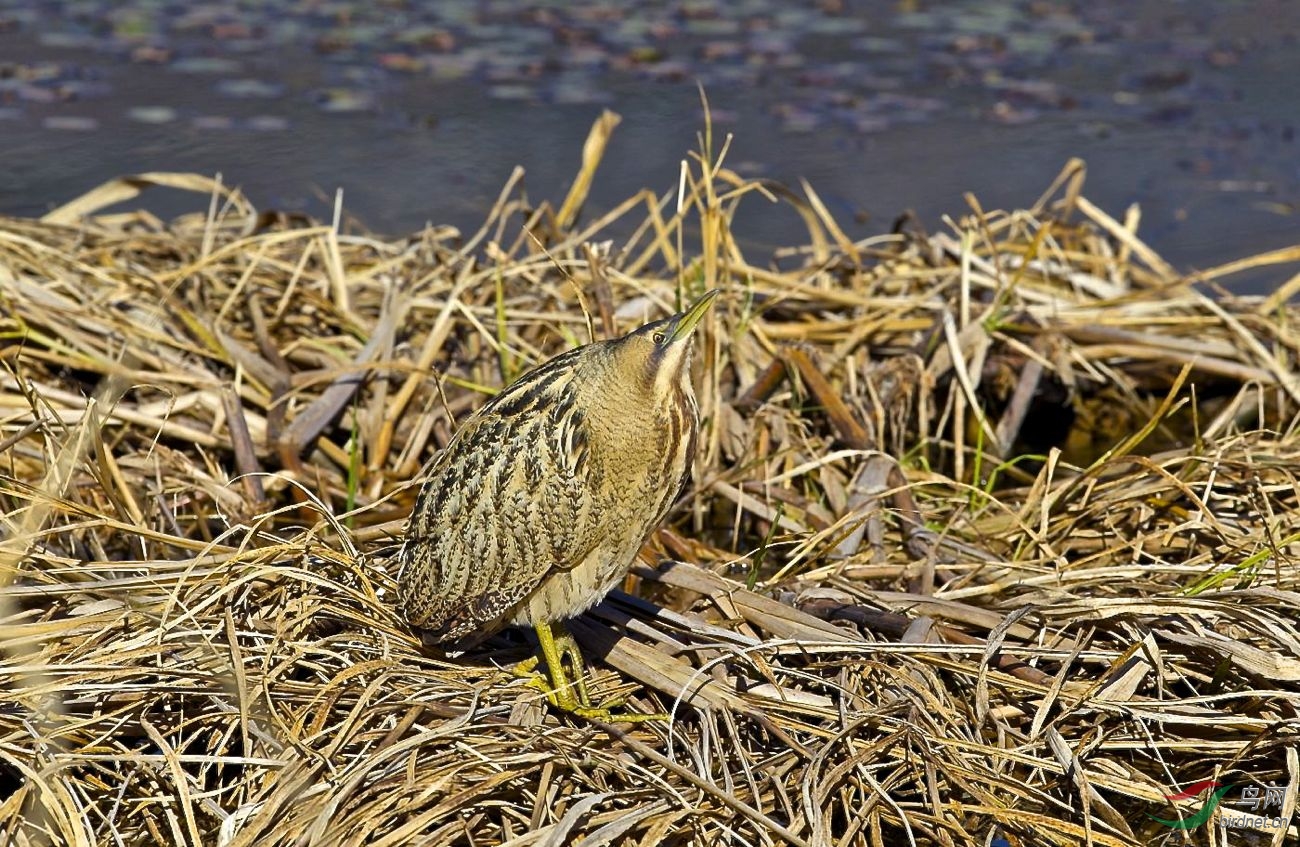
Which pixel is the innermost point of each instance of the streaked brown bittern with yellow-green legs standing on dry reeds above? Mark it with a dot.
(545, 496)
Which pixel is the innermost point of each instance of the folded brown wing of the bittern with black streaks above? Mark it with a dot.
(506, 506)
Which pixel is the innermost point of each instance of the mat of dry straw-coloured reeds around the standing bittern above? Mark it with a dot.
(991, 540)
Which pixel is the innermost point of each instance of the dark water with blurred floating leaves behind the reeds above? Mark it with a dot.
(419, 111)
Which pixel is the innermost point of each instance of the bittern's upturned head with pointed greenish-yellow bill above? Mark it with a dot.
(657, 357)
